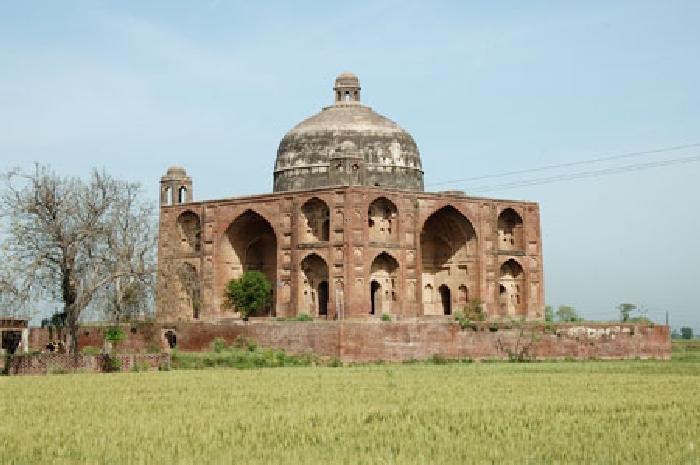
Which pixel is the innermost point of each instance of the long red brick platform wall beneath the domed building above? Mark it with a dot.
(398, 341)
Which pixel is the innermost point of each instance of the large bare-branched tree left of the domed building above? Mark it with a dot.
(64, 239)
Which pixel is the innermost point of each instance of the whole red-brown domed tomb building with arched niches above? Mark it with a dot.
(349, 232)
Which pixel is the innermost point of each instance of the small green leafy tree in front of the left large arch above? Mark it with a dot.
(248, 294)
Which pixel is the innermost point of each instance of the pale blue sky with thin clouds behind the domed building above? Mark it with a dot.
(485, 88)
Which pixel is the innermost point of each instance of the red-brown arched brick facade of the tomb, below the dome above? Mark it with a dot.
(356, 254)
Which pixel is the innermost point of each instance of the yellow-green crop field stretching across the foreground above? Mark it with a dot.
(644, 411)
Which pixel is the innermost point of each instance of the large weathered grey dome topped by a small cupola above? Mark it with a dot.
(347, 144)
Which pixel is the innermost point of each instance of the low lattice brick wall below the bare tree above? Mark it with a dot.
(42, 364)
